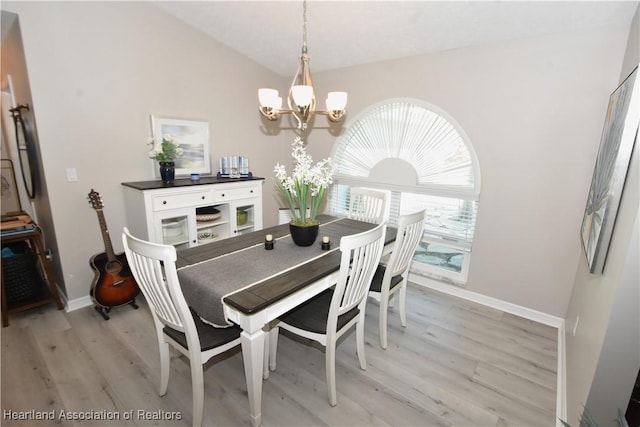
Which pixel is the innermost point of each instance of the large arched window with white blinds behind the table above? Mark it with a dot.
(423, 159)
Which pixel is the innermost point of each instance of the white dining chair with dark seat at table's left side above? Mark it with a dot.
(153, 267)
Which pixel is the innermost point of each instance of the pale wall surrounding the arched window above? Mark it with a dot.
(533, 110)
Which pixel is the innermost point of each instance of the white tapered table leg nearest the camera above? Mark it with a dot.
(253, 357)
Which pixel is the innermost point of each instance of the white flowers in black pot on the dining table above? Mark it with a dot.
(305, 190)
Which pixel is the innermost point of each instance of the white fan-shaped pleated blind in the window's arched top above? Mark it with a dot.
(413, 132)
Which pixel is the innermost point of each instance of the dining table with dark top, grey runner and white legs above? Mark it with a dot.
(245, 281)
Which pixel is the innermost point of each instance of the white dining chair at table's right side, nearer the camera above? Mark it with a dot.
(327, 316)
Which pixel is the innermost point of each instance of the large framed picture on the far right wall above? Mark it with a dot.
(616, 146)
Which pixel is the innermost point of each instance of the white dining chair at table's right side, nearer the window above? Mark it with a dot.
(391, 276)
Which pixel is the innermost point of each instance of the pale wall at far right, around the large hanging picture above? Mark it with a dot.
(603, 357)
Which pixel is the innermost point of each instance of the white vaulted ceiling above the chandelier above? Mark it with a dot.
(346, 33)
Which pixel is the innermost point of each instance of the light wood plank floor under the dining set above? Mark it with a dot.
(456, 363)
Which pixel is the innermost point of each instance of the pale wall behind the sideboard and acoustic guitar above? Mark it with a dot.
(97, 71)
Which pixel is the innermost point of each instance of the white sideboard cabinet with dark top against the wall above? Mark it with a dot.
(166, 213)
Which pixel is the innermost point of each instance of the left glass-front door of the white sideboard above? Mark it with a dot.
(176, 227)
